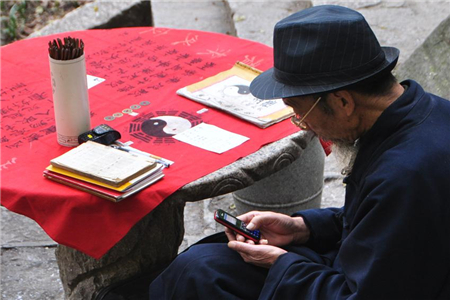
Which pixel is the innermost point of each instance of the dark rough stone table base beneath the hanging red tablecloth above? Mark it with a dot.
(152, 242)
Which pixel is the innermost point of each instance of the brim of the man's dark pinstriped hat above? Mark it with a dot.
(266, 87)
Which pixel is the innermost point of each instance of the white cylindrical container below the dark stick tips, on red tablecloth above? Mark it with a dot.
(70, 99)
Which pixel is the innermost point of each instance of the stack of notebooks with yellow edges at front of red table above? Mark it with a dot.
(104, 171)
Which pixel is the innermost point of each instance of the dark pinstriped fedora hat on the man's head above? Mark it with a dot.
(320, 49)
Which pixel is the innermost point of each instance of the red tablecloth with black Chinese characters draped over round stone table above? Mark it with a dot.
(143, 68)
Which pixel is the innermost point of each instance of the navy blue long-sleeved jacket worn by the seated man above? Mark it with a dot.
(392, 238)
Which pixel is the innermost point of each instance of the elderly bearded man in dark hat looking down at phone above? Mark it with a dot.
(391, 240)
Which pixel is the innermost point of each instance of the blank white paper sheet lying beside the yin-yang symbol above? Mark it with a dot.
(211, 138)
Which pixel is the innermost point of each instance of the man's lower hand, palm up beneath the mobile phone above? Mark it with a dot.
(260, 255)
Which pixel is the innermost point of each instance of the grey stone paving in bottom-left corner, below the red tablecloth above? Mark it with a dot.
(28, 263)
